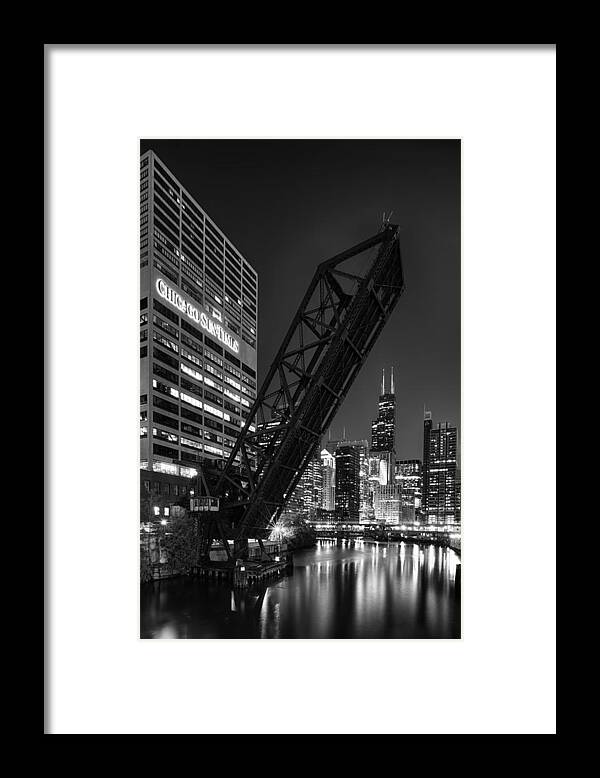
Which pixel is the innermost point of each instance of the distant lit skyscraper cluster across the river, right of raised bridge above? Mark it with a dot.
(374, 486)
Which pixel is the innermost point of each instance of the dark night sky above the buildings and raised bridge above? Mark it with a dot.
(288, 205)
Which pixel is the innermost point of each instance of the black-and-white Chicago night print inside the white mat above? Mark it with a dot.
(300, 389)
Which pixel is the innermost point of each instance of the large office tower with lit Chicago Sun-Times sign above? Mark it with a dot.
(198, 335)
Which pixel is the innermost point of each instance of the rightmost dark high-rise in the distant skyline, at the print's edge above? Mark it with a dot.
(441, 478)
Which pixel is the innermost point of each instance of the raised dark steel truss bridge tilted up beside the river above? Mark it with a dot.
(335, 327)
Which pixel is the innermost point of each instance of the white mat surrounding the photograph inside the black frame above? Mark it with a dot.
(500, 678)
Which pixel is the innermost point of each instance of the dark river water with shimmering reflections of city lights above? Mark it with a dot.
(339, 589)
